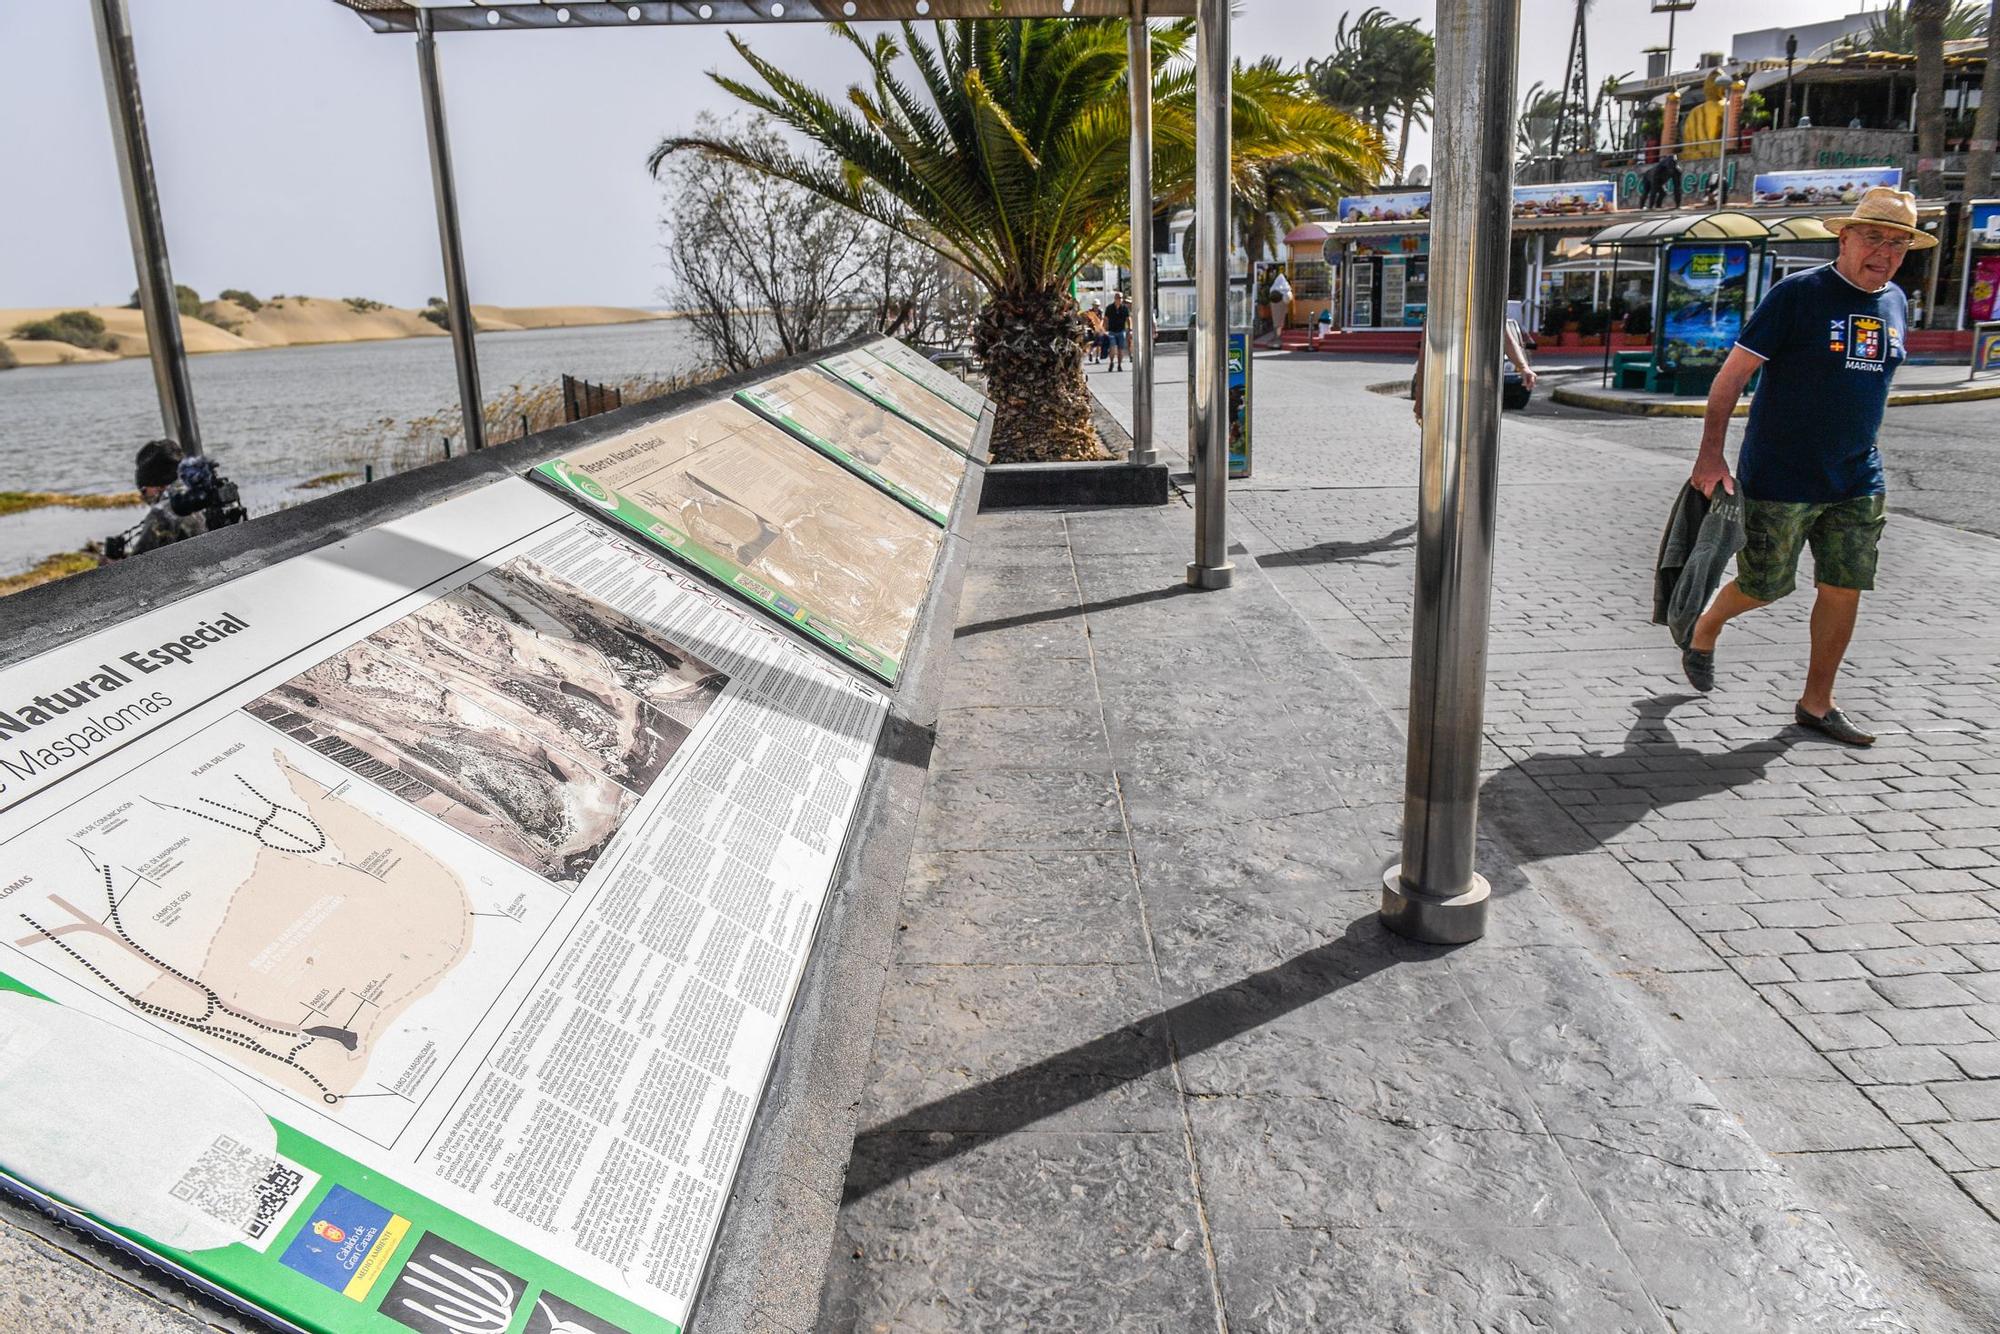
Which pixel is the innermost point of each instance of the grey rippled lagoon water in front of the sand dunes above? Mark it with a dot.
(273, 419)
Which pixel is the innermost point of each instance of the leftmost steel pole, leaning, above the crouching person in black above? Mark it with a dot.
(149, 233)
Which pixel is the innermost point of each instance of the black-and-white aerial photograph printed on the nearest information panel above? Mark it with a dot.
(515, 709)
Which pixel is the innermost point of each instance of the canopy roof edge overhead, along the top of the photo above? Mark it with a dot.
(475, 17)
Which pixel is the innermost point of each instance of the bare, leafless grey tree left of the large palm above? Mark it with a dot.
(765, 269)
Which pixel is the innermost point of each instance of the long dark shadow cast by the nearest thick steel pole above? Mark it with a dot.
(1017, 1101)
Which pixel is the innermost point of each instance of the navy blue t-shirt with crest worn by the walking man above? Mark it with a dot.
(1829, 355)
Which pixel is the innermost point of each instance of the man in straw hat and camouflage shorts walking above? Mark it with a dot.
(1829, 341)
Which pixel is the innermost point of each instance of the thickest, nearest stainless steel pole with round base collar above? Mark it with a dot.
(1435, 895)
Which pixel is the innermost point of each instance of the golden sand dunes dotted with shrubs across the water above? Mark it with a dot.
(289, 323)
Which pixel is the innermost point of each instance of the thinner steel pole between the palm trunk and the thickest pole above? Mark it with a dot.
(1209, 359)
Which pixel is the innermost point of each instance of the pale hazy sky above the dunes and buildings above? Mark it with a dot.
(291, 143)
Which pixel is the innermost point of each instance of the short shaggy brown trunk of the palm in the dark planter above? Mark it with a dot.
(1033, 351)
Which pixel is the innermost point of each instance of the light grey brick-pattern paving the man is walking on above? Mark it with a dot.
(1817, 927)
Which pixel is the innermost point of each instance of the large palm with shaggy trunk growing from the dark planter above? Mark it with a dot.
(1009, 157)
